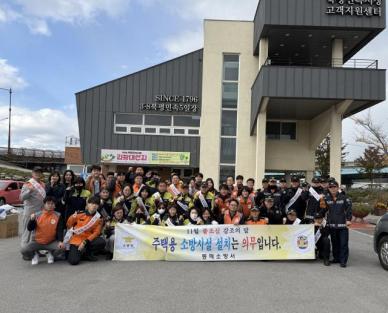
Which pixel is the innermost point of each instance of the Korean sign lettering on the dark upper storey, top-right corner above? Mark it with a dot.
(354, 7)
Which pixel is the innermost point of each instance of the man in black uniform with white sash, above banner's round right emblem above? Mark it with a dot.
(295, 198)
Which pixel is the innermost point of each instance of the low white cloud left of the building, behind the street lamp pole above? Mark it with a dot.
(44, 128)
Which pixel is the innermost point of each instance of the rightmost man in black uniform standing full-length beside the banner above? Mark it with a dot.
(339, 215)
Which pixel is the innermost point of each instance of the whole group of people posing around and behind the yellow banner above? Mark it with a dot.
(74, 219)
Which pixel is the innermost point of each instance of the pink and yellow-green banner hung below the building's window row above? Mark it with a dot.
(145, 157)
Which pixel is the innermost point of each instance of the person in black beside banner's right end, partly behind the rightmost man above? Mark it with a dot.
(322, 242)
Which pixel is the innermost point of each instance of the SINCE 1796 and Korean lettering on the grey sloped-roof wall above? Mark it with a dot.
(174, 103)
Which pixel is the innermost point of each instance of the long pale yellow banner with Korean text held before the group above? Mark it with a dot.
(214, 243)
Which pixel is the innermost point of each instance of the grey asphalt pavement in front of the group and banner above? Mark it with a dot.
(303, 286)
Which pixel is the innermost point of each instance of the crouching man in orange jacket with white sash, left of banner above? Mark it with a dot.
(84, 230)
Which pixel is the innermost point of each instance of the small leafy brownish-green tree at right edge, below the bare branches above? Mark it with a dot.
(371, 162)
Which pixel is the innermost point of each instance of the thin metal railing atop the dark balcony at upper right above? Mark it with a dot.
(352, 63)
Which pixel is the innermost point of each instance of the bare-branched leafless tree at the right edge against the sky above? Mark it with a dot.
(371, 133)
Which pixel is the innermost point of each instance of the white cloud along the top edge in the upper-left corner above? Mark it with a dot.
(37, 14)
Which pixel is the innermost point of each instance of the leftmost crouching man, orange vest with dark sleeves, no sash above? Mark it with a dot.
(47, 228)
